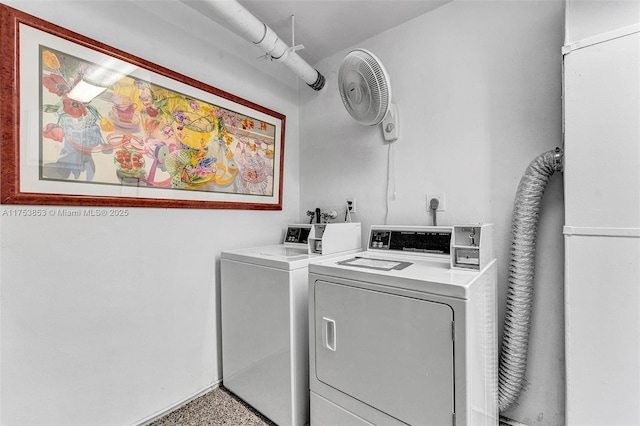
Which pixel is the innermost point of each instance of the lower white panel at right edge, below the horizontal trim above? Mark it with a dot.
(602, 330)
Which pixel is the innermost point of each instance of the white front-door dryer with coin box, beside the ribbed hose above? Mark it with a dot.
(405, 332)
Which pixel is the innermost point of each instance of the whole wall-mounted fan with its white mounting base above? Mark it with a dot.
(365, 89)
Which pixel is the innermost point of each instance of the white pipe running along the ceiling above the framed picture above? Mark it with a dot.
(259, 33)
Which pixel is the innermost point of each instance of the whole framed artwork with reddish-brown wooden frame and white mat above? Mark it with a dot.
(87, 124)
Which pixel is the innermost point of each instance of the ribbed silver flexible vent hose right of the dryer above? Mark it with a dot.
(524, 229)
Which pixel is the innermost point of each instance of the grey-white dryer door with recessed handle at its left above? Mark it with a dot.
(394, 353)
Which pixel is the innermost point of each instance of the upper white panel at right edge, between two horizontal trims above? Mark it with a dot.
(602, 134)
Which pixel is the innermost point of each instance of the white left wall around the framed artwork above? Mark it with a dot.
(109, 321)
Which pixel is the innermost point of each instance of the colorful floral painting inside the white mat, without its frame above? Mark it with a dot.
(137, 133)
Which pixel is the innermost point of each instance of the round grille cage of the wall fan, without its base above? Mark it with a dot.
(363, 69)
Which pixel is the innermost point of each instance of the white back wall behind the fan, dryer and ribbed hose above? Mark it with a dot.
(478, 86)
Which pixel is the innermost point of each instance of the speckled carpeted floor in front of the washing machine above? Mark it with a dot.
(218, 407)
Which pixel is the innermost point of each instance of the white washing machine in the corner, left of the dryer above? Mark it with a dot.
(264, 310)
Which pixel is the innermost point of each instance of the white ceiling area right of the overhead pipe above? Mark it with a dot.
(326, 27)
